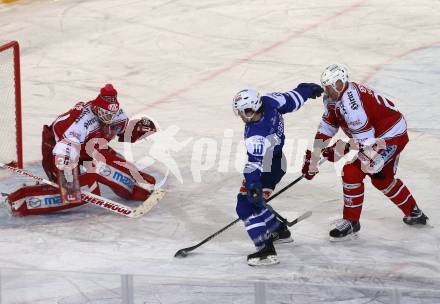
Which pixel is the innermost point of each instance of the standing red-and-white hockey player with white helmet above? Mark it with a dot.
(378, 131)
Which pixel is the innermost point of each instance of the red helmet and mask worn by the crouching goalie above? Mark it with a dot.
(106, 105)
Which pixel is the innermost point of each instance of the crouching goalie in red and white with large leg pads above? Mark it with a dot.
(77, 138)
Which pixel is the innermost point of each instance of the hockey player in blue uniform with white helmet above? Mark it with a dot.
(264, 140)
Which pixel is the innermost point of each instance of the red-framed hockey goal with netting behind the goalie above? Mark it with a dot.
(11, 149)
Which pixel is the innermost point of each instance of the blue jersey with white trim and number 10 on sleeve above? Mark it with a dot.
(265, 138)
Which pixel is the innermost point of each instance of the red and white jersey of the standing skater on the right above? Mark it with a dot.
(362, 114)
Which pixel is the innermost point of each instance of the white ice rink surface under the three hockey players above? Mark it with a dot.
(181, 62)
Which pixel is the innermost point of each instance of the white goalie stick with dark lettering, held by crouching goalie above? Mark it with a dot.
(99, 201)
